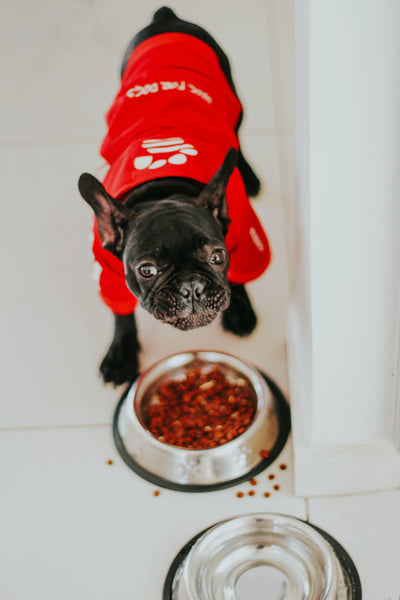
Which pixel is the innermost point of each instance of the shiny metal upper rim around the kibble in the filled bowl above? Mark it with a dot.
(254, 377)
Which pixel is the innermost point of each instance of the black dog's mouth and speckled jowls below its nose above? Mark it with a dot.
(184, 314)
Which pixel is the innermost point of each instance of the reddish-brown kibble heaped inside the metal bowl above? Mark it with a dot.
(201, 409)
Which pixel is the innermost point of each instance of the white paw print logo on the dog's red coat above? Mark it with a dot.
(174, 151)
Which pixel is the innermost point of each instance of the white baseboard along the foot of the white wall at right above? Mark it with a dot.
(331, 469)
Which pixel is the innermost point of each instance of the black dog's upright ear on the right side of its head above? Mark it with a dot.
(213, 196)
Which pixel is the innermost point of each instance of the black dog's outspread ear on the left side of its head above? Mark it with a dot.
(112, 216)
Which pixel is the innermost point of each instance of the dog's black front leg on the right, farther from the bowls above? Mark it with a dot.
(240, 317)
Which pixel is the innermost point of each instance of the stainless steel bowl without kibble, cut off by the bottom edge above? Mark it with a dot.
(261, 556)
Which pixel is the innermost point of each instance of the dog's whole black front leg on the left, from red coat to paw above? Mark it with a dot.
(121, 363)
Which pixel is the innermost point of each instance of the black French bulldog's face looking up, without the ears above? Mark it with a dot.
(176, 262)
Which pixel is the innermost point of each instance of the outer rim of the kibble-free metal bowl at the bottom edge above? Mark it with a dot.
(348, 573)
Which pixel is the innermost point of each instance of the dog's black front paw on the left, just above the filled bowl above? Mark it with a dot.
(120, 364)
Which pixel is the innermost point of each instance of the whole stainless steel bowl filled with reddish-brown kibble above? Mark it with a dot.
(208, 457)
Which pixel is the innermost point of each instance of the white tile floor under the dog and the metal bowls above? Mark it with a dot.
(71, 525)
